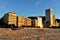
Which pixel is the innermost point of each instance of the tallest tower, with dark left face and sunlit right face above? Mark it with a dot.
(49, 17)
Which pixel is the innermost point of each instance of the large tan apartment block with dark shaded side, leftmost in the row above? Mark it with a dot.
(10, 18)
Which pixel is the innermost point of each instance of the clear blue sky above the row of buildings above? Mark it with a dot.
(29, 7)
